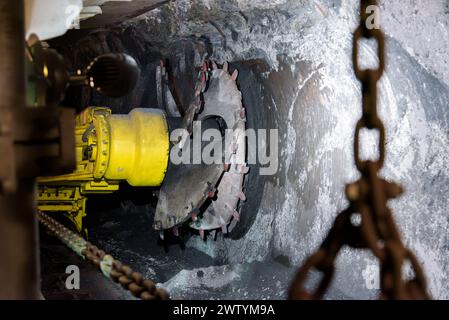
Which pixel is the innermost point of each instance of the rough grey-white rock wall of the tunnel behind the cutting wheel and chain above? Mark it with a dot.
(296, 76)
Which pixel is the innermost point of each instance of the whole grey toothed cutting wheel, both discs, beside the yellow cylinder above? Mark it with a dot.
(187, 186)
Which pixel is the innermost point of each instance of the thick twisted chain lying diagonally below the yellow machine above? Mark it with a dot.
(111, 268)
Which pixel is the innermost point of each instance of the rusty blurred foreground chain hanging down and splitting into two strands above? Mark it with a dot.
(375, 228)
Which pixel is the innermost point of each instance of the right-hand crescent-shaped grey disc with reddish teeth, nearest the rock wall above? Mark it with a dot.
(224, 99)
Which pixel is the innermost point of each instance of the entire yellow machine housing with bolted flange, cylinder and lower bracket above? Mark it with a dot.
(109, 149)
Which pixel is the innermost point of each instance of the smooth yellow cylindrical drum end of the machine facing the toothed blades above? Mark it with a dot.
(139, 147)
